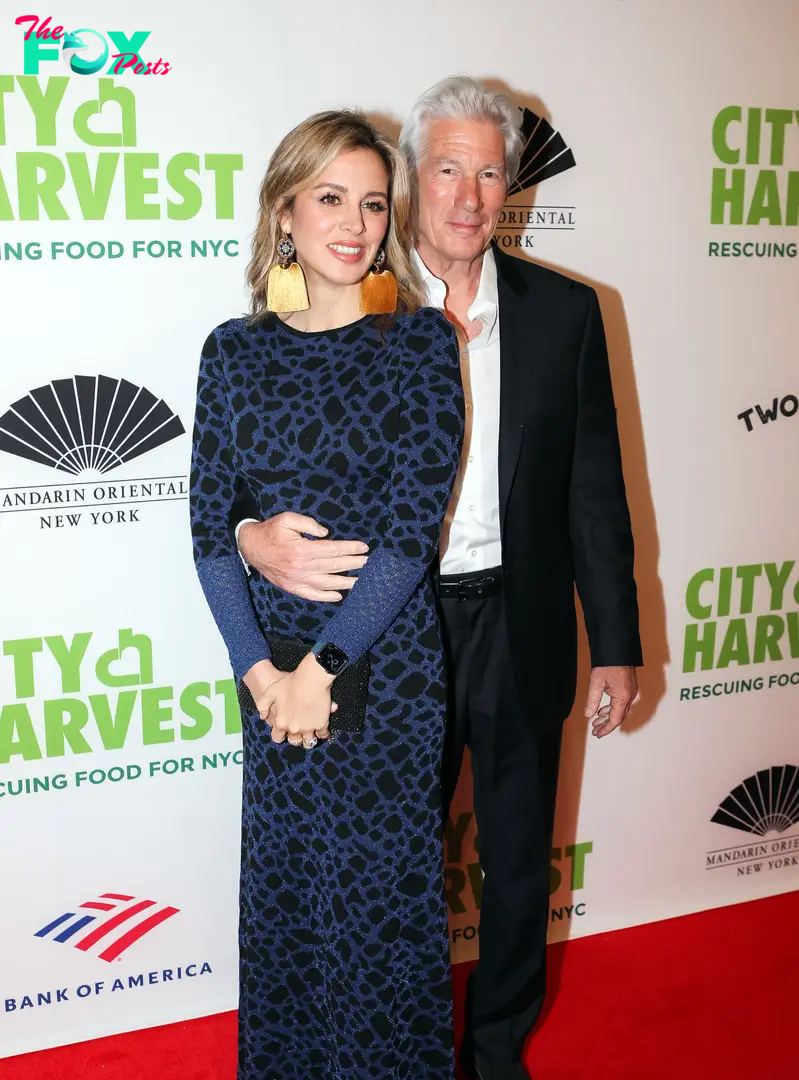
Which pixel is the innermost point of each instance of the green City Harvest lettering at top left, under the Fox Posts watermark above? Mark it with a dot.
(77, 184)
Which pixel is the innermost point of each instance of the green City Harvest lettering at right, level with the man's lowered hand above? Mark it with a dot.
(726, 629)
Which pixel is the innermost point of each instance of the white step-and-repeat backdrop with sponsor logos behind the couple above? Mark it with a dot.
(127, 205)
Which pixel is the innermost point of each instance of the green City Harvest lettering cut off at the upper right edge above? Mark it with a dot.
(766, 195)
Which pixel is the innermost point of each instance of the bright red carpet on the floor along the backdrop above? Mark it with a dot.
(709, 997)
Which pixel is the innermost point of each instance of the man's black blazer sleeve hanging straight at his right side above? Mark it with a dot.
(601, 530)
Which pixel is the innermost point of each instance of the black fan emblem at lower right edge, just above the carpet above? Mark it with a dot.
(766, 803)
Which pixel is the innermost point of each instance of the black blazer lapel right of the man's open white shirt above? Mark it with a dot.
(517, 319)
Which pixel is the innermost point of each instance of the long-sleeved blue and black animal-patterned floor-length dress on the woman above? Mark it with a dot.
(345, 963)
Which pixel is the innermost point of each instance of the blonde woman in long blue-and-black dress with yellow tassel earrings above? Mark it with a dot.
(355, 420)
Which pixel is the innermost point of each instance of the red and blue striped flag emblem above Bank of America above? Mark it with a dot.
(109, 926)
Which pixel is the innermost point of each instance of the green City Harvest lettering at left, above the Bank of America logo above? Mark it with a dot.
(127, 709)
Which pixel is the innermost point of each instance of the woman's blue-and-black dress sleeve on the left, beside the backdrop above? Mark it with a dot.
(213, 491)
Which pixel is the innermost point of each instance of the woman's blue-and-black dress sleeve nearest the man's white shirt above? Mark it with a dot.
(426, 464)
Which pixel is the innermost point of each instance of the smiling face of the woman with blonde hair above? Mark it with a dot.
(340, 222)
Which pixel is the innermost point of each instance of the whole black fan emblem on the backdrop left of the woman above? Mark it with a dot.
(90, 423)
